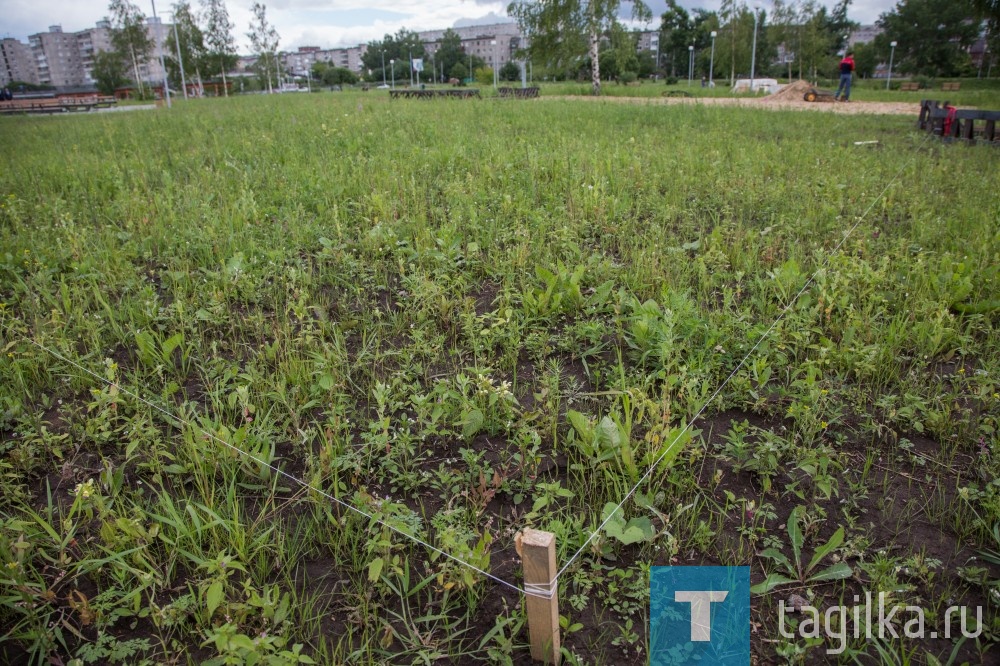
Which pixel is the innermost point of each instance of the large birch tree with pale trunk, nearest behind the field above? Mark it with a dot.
(559, 30)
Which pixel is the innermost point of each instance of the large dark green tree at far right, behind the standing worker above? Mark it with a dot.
(933, 36)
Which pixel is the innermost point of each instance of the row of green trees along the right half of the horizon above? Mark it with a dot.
(575, 39)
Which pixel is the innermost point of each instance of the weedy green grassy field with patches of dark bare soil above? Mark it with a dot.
(466, 318)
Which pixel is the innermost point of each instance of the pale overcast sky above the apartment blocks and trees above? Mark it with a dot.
(327, 24)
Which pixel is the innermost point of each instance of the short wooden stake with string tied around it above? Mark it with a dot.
(538, 557)
